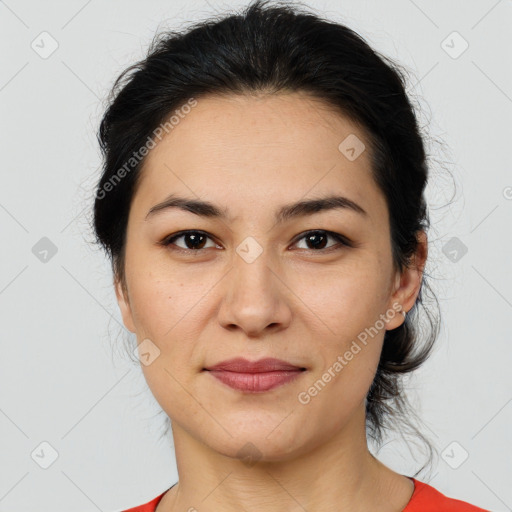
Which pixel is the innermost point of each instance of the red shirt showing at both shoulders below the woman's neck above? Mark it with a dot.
(425, 498)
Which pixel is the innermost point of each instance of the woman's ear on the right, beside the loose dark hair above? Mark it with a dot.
(408, 283)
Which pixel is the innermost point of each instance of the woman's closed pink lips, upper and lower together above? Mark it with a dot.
(256, 376)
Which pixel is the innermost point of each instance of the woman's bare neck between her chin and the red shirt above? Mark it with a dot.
(330, 475)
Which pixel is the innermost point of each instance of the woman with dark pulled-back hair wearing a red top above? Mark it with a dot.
(262, 204)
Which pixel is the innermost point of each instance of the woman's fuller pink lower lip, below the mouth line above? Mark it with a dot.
(255, 382)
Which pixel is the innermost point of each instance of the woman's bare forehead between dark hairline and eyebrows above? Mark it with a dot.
(244, 152)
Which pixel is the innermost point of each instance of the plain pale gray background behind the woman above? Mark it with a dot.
(63, 379)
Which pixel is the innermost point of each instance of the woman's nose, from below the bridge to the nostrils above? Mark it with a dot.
(255, 298)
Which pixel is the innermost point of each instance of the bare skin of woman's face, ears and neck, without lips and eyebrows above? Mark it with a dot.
(295, 302)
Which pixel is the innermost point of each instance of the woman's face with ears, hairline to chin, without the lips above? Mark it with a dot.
(255, 285)
